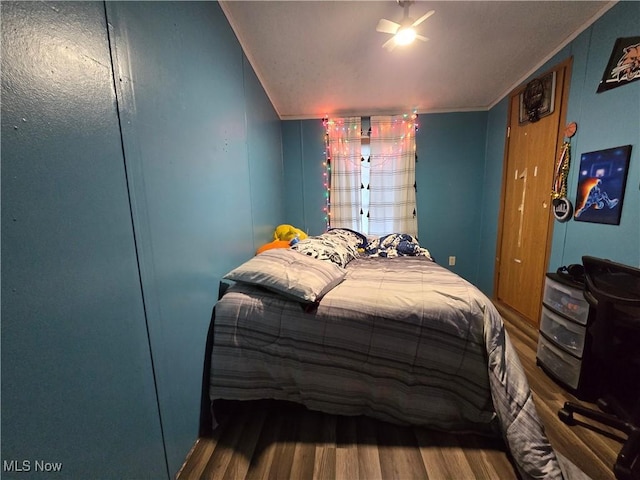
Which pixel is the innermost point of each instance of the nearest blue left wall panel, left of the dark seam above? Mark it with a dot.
(77, 379)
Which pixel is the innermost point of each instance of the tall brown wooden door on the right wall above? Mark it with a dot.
(526, 225)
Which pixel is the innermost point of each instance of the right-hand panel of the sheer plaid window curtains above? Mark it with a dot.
(392, 201)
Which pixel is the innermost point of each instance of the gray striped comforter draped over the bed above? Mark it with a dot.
(400, 339)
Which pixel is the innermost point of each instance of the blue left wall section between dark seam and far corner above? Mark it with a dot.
(203, 145)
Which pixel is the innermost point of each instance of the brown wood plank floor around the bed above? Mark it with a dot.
(277, 440)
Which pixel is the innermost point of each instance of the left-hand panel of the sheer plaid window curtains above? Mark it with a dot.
(344, 153)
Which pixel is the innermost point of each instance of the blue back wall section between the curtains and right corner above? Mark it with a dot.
(449, 174)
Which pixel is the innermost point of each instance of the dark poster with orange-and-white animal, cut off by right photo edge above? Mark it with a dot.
(623, 66)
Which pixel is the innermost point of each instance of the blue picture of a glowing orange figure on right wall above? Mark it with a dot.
(601, 185)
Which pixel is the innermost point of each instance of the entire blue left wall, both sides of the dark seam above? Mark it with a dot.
(108, 279)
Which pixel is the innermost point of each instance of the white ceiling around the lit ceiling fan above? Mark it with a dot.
(317, 58)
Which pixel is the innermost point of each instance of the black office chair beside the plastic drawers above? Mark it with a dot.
(613, 291)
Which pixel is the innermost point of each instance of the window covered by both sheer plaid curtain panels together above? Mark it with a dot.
(372, 181)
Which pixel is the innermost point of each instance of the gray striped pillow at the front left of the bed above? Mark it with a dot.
(290, 274)
